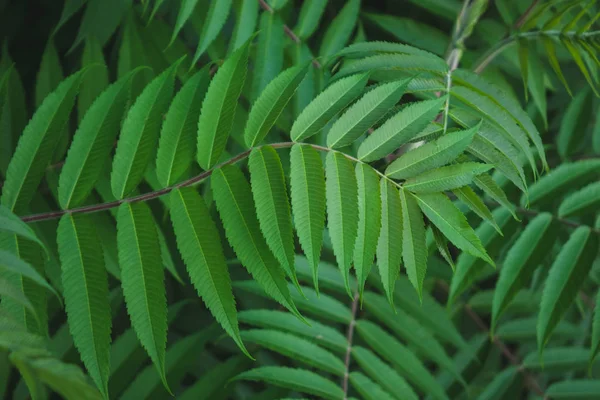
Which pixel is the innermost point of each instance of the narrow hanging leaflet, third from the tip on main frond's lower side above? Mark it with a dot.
(389, 246)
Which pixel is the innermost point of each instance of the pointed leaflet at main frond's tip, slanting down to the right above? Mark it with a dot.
(452, 223)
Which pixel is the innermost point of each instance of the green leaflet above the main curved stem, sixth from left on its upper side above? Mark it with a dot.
(271, 103)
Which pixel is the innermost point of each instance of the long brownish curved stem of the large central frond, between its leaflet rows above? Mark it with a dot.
(189, 182)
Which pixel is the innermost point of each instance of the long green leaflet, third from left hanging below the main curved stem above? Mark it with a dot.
(196, 233)
